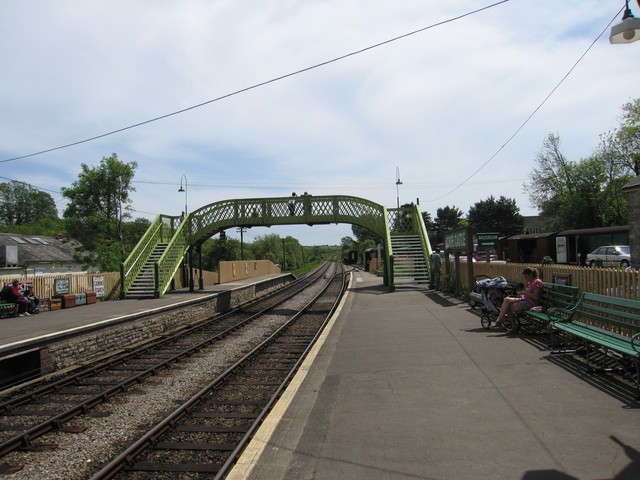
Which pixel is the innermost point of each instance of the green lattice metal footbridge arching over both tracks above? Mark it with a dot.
(182, 238)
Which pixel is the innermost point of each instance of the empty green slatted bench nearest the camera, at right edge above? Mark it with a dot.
(608, 324)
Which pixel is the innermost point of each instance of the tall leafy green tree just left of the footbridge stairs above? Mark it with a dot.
(97, 209)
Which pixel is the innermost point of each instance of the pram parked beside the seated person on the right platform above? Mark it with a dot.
(489, 294)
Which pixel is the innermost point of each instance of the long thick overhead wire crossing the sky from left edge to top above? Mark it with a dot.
(258, 85)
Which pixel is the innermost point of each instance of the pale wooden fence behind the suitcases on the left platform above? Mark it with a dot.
(78, 282)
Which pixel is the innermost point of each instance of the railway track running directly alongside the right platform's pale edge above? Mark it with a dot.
(204, 437)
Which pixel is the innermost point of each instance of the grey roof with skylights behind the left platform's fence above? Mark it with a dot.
(40, 248)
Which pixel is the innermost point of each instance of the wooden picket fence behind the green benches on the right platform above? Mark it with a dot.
(616, 282)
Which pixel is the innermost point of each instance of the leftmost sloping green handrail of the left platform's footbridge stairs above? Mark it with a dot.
(159, 229)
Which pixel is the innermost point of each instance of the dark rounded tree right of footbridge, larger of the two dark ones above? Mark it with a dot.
(491, 215)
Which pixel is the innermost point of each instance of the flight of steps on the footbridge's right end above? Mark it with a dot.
(410, 269)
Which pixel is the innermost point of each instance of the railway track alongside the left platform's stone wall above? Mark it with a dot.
(52, 407)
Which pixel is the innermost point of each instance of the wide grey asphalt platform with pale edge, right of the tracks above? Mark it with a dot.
(408, 385)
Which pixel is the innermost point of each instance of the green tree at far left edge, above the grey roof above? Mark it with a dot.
(21, 204)
